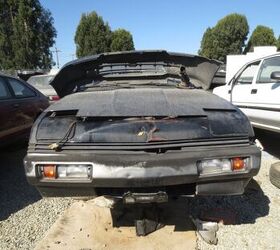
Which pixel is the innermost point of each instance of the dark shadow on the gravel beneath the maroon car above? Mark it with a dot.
(15, 192)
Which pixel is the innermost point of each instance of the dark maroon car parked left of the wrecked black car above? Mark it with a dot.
(20, 104)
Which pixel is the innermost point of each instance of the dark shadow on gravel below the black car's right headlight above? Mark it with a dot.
(248, 207)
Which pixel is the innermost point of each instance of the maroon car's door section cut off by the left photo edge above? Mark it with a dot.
(8, 111)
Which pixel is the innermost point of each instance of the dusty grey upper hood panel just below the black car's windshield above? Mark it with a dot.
(142, 102)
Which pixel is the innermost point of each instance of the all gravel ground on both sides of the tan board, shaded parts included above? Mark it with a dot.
(25, 217)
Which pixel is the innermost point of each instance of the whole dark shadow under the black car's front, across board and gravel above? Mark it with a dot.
(232, 210)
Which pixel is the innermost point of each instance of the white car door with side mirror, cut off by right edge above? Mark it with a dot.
(266, 98)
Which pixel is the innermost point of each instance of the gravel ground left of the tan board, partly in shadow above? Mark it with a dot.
(24, 215)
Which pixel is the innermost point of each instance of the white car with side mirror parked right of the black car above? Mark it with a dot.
(255, 89)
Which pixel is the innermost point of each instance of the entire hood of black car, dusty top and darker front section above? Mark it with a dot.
(160, 115)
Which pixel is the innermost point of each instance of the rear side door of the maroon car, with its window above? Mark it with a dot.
(24, 102)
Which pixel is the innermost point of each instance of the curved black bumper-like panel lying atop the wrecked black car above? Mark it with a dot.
(133, 65)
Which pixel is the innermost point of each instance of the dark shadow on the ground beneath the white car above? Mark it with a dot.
(270, 141)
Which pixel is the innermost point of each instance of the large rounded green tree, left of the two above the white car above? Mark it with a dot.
(227, 37)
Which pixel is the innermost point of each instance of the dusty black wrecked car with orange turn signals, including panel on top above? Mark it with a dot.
(141, 126)
